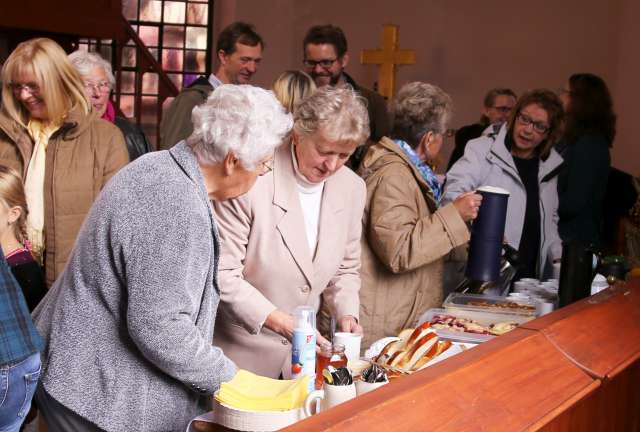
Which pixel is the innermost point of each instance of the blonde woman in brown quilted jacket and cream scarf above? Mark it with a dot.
(65, 154)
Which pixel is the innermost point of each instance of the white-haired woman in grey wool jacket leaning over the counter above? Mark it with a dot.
(128, 326)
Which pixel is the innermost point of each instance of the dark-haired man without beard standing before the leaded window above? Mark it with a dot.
(239, 52)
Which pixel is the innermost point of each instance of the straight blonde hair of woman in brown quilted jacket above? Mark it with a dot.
(61, 87)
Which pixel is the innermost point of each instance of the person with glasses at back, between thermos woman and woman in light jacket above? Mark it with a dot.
(497, 107)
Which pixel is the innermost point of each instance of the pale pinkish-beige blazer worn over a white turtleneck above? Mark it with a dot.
(266, 263)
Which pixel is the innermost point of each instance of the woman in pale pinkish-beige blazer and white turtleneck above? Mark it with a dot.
(295, 236)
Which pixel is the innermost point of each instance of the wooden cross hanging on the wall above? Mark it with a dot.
(388, 57)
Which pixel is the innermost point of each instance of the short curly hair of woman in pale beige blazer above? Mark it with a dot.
(339, 113)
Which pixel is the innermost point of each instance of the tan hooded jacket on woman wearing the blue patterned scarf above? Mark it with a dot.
(404, 244)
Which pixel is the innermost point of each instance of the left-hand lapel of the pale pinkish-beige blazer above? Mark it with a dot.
(291, 225)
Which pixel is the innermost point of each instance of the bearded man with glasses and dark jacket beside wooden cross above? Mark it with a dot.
(325, 57)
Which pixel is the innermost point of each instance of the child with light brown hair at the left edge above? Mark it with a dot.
(13, 217)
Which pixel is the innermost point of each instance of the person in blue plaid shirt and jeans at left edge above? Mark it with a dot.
(20, 346)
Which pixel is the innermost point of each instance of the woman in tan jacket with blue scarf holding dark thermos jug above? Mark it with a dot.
(406, 233)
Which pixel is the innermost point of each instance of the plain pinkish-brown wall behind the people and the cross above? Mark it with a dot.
(467, 47)
